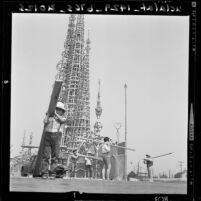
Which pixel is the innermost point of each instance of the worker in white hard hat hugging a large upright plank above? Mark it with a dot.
(53, 132)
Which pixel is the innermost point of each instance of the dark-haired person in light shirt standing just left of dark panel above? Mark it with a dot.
(106, 158)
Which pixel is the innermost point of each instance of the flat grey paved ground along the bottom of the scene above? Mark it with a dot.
(96, 186)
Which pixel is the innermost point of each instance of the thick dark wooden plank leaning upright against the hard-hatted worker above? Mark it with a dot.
(52, 105)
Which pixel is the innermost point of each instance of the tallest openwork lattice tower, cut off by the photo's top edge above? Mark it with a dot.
(73, 69)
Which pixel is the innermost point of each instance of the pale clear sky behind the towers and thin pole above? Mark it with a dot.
(148, 53)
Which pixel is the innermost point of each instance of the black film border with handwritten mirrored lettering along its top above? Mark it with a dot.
(166, 7)
